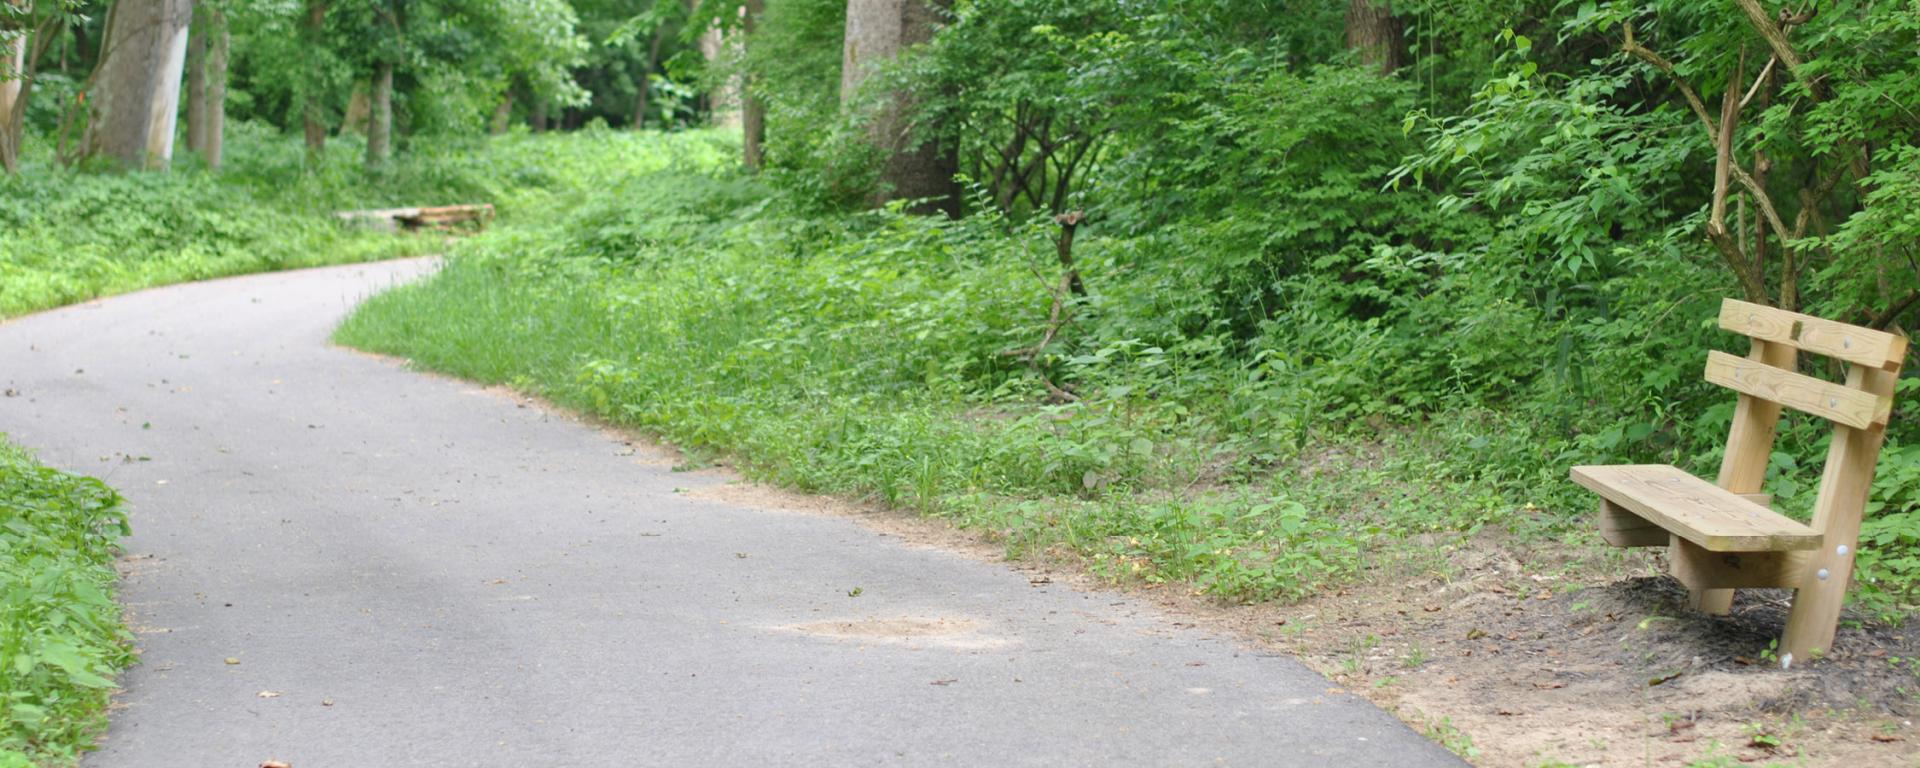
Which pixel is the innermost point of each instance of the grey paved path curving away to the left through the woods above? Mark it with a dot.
(427, 575)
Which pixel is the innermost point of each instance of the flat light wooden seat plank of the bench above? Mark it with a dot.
(1696, 510)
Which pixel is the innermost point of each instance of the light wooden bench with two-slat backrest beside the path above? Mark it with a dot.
(1723, 537)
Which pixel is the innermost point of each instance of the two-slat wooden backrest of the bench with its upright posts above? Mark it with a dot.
(1767, 381)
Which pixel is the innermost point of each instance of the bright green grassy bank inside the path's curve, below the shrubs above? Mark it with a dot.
(861, 356)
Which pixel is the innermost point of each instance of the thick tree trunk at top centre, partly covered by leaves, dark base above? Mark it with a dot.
(917, 166)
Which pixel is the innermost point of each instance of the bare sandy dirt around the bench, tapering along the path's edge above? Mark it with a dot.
(1518, 656)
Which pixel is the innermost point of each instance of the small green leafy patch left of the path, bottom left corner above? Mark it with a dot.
(62, 638)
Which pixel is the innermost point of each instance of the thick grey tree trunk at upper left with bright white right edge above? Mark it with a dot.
(137, 87)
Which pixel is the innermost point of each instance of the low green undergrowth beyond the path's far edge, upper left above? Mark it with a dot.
(70, 237)
